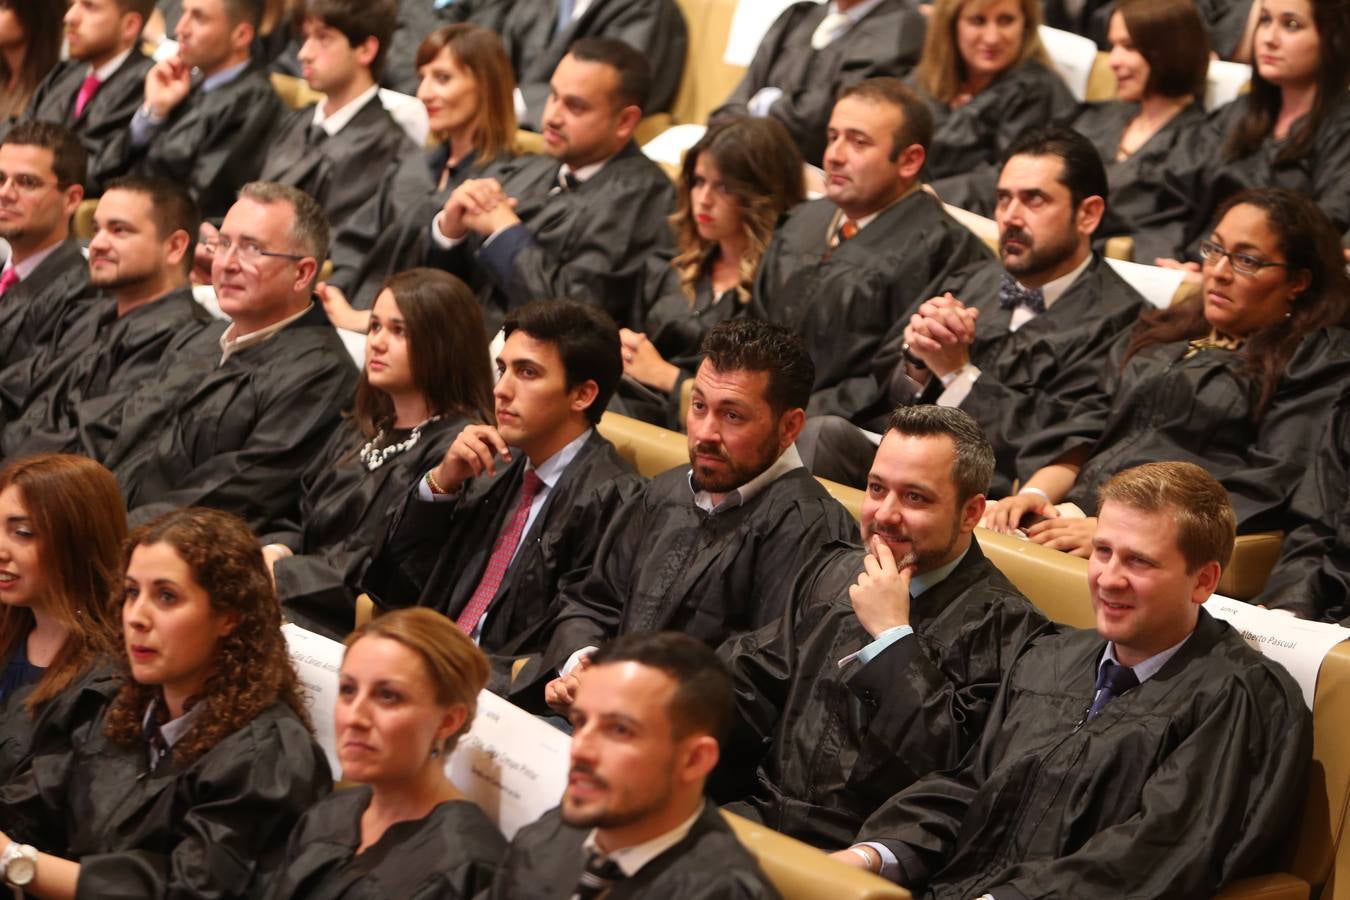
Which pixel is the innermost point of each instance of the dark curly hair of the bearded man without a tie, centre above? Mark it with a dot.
(754, 345)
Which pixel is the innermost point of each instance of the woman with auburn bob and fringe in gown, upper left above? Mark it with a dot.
(466, 86)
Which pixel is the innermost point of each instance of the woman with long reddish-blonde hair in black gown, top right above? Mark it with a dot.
(986, 78)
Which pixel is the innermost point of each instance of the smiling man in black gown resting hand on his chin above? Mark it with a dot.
(889, 656)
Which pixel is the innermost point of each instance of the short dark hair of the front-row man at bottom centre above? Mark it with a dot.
(703, 700)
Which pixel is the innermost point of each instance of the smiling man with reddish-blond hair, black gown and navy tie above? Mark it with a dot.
(1156, 758)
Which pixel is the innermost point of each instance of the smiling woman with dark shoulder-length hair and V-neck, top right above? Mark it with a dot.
(1160, 56)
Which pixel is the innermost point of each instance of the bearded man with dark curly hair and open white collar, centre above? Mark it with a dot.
(712, 550)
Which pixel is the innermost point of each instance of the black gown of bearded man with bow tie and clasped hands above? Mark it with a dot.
(1031, 378)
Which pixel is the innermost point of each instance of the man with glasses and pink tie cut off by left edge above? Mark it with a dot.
(43, 169)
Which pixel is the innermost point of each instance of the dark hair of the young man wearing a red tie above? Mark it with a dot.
(587, 339)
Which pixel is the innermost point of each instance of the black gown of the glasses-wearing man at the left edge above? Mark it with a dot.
(32, 310)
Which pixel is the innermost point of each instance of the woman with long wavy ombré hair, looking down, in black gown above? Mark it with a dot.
(735, 187)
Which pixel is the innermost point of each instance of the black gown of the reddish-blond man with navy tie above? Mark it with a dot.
(1187, 782)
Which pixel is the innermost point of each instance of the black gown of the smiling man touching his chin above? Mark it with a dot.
(835, 743)
